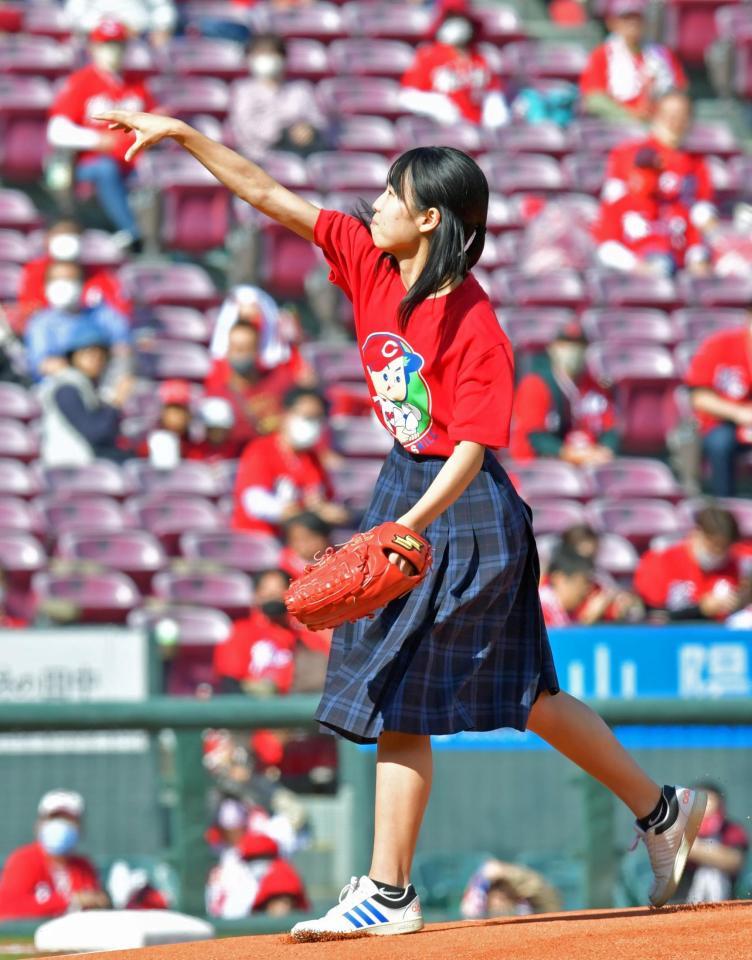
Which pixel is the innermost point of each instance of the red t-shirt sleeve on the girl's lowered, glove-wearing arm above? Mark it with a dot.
(483, 401)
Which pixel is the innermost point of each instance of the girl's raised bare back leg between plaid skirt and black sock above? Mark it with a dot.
(580, 734)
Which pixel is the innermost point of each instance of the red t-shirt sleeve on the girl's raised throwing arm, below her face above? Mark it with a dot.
(348, 249)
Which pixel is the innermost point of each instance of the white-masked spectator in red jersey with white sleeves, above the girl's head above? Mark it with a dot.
(450, 80)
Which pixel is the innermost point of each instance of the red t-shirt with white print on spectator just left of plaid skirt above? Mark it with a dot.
(258, 649)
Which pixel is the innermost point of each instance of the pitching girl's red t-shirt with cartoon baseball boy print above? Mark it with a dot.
(449, 376)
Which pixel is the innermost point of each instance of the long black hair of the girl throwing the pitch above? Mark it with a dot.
(449, 180)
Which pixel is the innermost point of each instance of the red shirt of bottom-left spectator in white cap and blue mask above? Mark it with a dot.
(32, 886)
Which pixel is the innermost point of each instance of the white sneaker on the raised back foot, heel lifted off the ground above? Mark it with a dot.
(669, 842)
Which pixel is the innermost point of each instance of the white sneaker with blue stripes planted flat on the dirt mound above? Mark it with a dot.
(364, 909)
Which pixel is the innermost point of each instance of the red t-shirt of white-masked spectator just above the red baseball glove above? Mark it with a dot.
(268, 464)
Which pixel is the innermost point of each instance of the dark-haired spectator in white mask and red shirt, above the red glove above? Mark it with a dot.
(281, 474)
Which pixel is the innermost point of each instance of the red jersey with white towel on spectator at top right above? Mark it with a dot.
(632, 79)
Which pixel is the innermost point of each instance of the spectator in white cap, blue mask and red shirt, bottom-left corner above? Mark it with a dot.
(46, 878)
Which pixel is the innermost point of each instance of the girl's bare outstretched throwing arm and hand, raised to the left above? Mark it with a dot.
(245, 179)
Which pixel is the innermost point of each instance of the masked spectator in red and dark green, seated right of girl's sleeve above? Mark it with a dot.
(560, 410)
